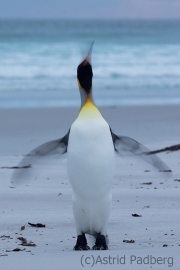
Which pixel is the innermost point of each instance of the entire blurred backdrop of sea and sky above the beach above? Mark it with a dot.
(135, 59)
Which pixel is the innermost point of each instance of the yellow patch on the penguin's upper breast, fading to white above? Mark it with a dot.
(89, 110)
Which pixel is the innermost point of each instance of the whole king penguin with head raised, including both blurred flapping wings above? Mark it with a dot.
(90, 145)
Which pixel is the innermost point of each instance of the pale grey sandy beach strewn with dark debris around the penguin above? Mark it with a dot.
(46, 198)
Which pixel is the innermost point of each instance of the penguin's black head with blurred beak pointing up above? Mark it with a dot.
(85, 74)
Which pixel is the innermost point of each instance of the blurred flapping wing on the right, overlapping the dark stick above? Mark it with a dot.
(127, 146)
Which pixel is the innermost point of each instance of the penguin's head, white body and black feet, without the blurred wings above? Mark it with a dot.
(90, 161)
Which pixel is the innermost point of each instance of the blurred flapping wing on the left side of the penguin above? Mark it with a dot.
(55, 147)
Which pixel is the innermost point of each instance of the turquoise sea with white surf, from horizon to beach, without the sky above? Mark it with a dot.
(134, 62)
